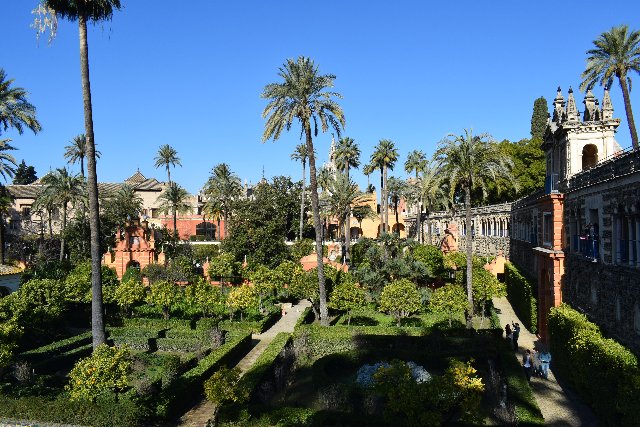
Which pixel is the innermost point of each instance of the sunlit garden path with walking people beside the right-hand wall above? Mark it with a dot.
(559, 405)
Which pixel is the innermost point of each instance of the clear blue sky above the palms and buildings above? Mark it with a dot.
(191, 77)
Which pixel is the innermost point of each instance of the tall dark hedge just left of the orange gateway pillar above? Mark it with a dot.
(522, 294)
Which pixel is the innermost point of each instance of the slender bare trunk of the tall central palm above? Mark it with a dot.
(317, 225)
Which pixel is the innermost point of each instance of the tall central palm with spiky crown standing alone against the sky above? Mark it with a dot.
(303, 96)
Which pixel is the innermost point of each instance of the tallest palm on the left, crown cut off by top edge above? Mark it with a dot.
(88, 11)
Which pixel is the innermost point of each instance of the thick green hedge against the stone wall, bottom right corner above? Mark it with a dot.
(601, 370)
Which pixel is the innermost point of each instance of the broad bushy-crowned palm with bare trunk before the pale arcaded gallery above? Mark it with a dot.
(471, 162)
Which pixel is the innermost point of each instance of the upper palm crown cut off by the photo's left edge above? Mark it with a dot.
(15, 111)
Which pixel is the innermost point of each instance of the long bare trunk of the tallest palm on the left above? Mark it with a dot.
(97, 320)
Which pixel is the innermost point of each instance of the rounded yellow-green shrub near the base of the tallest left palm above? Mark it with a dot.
(106, 370)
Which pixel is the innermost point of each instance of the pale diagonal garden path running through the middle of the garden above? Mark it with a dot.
(199, 415)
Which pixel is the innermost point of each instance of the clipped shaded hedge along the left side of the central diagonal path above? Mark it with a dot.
(188, 386)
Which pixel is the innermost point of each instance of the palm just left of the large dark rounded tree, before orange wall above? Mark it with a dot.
(222, 190)
